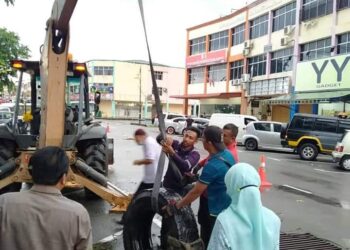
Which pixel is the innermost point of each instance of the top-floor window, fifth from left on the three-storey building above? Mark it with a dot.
(284, 16)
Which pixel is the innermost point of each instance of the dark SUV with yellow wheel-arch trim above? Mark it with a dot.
(313, 134)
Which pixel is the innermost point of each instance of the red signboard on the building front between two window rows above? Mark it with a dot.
(212, 57)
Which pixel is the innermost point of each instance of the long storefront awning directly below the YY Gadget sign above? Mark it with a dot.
(311, 98)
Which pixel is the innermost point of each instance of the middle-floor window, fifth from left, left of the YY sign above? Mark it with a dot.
(282, 60)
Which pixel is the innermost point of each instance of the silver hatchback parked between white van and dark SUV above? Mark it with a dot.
(263, 134)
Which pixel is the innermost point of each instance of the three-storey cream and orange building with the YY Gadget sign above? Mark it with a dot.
(250, 61)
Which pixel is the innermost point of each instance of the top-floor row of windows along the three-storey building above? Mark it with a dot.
(282, 17)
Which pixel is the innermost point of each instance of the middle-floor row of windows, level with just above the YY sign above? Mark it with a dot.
(281, 60)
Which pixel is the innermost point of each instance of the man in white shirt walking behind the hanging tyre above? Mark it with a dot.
(151, 152)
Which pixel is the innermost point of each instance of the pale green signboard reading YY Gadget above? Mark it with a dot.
(331, 73)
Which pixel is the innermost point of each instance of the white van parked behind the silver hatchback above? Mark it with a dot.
(241, 121)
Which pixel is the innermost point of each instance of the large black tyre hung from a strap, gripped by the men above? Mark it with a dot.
(181, 226)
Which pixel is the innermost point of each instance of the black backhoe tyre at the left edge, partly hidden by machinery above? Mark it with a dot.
(7, 151)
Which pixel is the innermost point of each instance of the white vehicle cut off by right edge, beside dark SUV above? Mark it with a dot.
(341, 153)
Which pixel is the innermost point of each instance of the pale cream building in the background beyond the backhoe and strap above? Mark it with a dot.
(126, 88)
